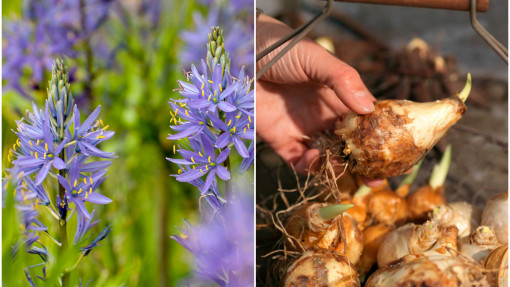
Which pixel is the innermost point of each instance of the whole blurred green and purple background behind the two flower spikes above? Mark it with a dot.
(127, 57)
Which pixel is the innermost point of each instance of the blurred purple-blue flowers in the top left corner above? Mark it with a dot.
(46, 29)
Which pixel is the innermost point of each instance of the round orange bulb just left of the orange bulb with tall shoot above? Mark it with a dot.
(388, 208)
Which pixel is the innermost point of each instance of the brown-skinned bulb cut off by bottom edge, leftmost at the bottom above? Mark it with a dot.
(321, 268)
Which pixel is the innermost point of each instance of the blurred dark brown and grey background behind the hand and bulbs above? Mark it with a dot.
(419, 54)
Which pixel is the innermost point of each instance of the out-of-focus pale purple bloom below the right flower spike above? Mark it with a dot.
(226, 257)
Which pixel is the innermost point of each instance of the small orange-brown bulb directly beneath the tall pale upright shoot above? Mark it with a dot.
(422, 201)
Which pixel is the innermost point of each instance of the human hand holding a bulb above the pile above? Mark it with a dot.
(302, 94)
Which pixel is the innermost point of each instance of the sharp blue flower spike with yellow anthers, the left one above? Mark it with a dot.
(55, 143)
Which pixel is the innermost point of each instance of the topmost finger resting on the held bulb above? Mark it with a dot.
(340, 77)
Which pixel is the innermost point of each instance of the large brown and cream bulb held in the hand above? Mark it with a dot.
(396, 135)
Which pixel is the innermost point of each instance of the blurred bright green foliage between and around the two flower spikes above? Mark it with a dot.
(148, 203)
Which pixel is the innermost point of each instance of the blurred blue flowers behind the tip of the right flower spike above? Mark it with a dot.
(238, 16)
